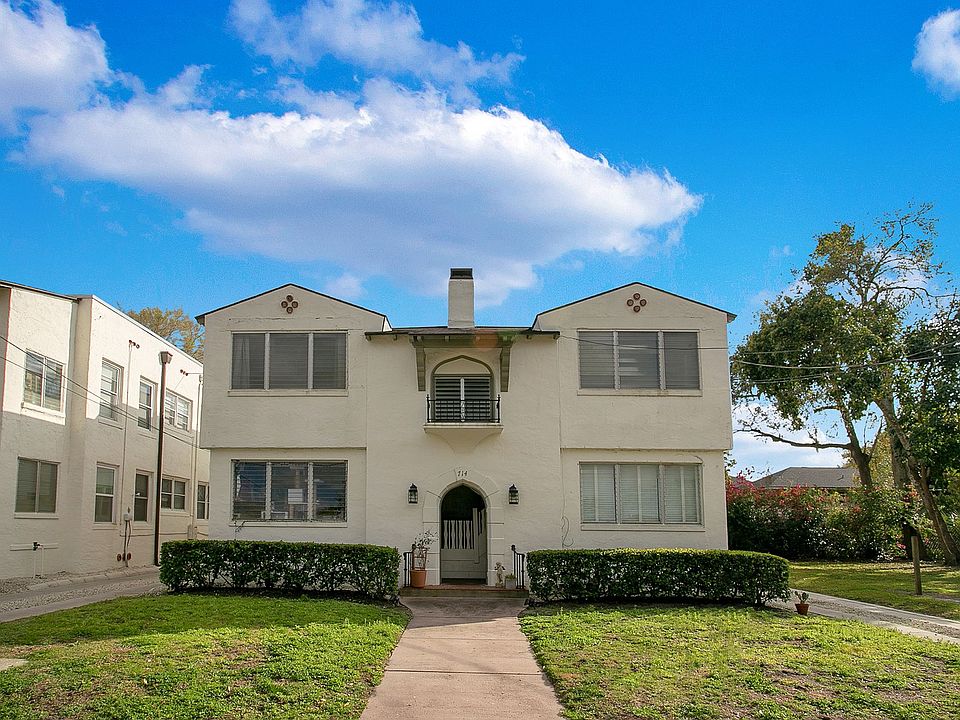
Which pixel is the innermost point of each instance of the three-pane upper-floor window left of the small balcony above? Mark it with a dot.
(289, 361)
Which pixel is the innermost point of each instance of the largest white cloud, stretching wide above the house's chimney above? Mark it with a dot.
(401, 185)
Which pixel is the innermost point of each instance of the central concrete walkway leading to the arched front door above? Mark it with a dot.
(462, 658)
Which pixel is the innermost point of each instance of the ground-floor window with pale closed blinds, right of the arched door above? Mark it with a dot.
(640, 493)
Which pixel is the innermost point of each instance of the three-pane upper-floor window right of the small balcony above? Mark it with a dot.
(630, 359)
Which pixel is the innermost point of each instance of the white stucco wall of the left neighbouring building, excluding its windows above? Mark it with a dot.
(80, 333)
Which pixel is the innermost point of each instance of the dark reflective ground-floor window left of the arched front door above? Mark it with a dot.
(281, 491)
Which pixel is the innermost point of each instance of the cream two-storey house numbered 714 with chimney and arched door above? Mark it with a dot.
(602, 424)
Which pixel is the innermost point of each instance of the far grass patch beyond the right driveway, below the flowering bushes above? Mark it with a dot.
(884, 584)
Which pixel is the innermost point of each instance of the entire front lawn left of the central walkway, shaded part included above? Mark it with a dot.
(198, 656)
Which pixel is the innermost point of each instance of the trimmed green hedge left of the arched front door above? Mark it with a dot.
(370, 570)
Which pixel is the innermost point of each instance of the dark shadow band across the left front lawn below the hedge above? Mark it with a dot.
(176, 613)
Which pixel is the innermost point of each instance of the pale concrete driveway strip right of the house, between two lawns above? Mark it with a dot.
(929, 627)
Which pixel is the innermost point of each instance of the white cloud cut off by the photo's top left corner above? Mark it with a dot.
(46, 65)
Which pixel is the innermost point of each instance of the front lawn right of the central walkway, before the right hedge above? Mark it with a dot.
(715, 662)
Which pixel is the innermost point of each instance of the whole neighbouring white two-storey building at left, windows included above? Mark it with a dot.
(79, 391)
